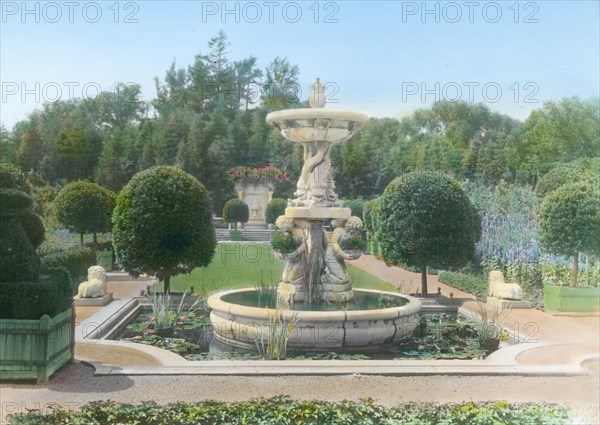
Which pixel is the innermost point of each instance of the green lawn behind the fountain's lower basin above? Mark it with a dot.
(243, 265)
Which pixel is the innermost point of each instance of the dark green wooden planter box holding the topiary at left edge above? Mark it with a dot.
(35, 349)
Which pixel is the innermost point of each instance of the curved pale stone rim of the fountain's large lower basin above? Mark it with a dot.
(216, 303)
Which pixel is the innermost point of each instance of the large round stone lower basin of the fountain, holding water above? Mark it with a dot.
(376, 319)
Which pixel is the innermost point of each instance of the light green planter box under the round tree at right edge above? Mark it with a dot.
(565, 299)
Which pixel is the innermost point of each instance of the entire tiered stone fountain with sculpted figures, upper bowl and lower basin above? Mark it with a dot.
(315, 288)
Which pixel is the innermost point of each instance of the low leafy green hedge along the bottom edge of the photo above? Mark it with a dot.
(283, 410)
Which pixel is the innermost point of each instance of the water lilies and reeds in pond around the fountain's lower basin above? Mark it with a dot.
(438, 336)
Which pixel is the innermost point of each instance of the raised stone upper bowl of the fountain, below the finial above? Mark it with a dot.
(305, 125)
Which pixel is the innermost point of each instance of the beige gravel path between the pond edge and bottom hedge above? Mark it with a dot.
(75, 385)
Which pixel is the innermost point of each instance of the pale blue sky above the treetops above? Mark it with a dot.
(384, 58)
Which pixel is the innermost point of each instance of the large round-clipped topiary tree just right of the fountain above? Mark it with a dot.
(427, 219)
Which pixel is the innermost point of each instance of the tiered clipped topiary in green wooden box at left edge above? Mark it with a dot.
(36, 315)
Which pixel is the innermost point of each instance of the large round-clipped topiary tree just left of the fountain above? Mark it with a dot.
(162, 224)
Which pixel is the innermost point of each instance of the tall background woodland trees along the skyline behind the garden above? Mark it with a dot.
(210, 116)
